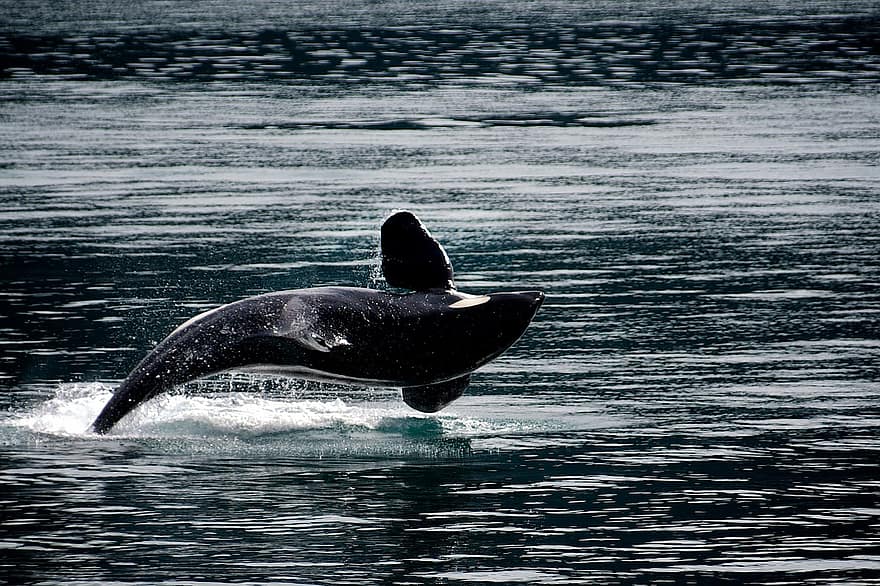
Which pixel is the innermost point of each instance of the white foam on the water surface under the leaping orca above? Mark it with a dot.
(235, 415)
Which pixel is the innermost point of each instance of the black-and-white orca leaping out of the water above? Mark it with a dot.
(426, 341)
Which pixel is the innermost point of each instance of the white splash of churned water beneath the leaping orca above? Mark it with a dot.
(219, 415)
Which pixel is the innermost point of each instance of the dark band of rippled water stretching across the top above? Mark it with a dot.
(782, 50)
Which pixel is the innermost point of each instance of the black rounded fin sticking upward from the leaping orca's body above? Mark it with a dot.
(411, 258)
